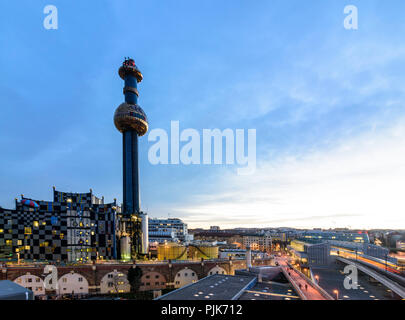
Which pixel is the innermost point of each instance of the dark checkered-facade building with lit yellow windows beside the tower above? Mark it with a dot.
(75, 227)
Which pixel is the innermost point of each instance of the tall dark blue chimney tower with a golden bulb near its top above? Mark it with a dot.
(131, 121)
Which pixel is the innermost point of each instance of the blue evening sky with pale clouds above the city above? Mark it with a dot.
(327, 105)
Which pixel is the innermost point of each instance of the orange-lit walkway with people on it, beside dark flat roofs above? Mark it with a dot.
(306, 289)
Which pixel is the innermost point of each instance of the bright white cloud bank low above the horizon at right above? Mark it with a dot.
(355, 183)
